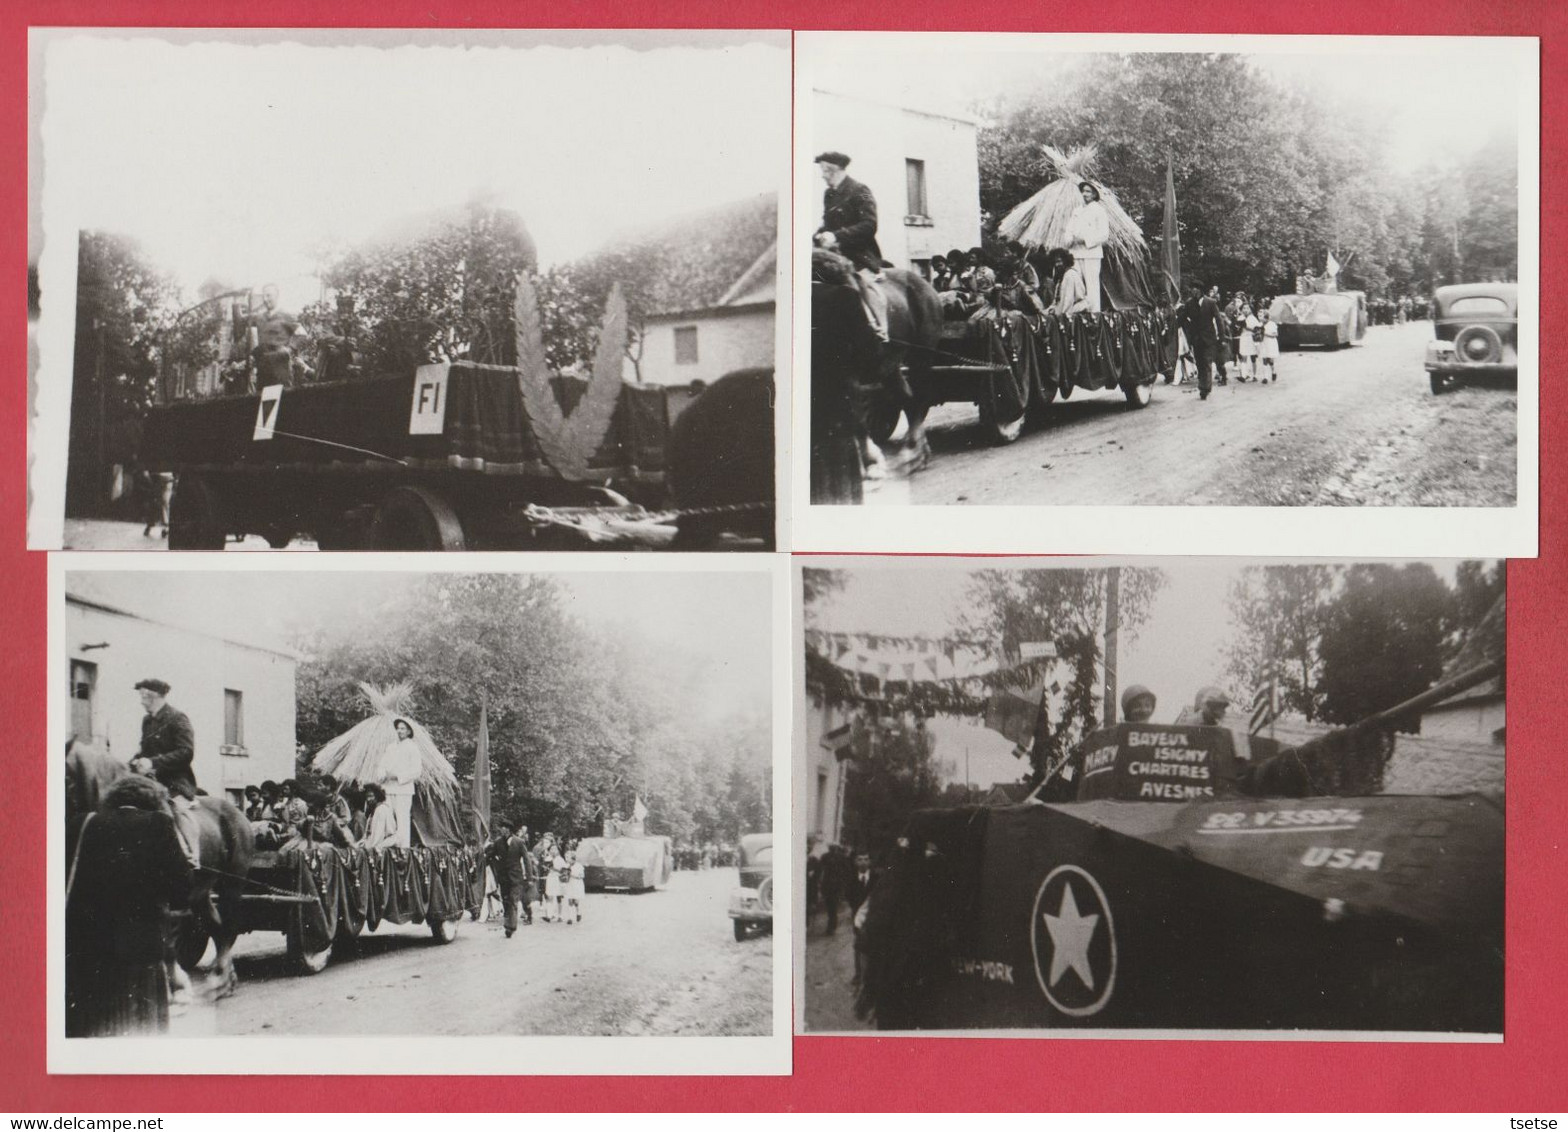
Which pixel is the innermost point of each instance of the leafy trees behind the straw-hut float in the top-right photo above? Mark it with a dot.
(1268, 176)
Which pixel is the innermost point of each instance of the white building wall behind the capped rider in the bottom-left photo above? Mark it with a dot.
(198, 670)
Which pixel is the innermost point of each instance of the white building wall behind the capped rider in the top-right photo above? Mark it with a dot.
(879, 140)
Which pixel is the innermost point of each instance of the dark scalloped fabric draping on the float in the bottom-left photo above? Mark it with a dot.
(355, 888)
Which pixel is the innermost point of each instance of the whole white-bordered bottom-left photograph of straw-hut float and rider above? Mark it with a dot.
(313, 808)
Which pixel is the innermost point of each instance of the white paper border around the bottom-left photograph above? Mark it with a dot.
(412, 1054)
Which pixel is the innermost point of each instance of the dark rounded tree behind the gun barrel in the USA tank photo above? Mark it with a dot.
(1384, 640)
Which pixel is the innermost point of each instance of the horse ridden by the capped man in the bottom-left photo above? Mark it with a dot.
(227, 849)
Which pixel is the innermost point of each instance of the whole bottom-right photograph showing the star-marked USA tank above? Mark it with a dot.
(1153, 797)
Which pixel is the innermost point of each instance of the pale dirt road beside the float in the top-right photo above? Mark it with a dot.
(1349, 427)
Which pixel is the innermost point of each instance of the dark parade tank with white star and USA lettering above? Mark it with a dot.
(1160, 880)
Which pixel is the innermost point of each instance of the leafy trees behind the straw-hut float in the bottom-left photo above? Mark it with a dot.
(579, 725)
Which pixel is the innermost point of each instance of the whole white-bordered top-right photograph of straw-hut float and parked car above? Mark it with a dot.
(1164, 274)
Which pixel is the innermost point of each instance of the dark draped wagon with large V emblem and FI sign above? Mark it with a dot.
(465, 455)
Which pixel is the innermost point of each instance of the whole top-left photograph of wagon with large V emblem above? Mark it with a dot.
(407, 291)
